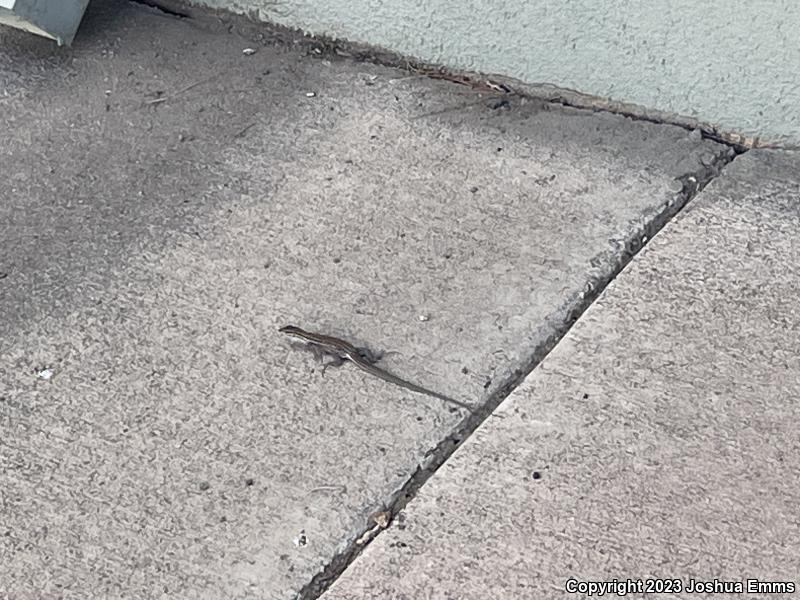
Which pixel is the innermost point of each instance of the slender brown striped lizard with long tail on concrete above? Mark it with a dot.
(340, 351)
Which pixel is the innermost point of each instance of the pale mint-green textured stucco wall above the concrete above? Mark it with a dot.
(730, 64)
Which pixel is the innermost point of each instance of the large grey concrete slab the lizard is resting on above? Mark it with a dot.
(169, 201)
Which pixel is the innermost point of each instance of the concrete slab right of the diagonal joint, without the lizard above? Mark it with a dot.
(658, 439)
